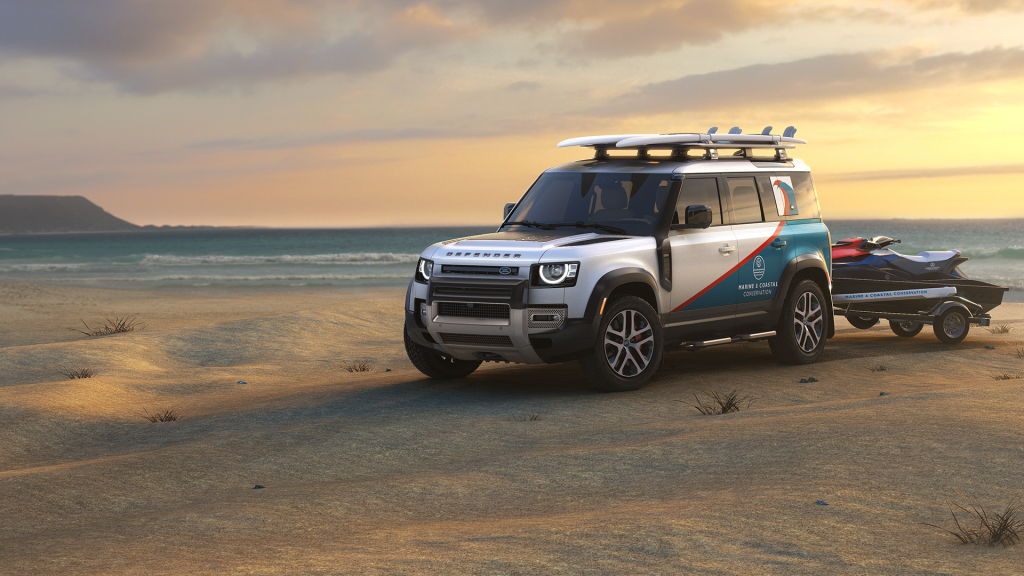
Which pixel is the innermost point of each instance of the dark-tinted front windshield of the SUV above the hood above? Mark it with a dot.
(631, 202)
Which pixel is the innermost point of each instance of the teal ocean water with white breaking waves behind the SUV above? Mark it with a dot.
(386, 258)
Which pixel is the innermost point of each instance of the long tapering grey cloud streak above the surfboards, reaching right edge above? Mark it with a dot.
(834, 76)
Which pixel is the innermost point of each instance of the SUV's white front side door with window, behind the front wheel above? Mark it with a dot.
(702, 261)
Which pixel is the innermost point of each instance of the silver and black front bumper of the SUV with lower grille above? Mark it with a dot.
(492, 321)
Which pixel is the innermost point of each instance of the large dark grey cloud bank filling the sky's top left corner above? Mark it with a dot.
(155, 46)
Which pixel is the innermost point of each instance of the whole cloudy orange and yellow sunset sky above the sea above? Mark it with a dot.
(310, 113)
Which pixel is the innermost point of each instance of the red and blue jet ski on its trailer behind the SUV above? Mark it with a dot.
(871, 281)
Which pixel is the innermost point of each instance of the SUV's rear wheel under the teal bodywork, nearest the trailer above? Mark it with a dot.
(800, 337)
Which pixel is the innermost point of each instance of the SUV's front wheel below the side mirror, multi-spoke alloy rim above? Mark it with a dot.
(613, 367)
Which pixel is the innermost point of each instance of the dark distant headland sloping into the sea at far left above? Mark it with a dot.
(40, 215)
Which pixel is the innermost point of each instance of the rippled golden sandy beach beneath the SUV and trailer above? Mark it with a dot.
(516, 470)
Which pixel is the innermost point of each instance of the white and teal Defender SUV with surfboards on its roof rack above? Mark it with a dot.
(694, 240)
